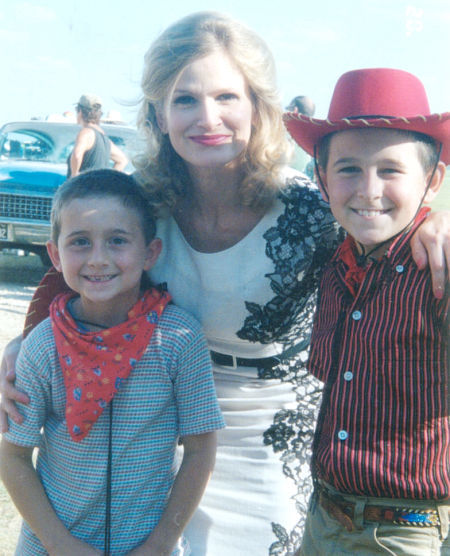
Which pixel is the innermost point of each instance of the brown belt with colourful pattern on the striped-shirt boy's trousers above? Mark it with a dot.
(344, 512)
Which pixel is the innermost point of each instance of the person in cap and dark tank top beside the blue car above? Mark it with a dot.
(93, 149)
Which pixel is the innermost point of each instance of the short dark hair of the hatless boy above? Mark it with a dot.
(105, 183)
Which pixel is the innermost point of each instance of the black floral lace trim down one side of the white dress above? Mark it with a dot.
(300, 245)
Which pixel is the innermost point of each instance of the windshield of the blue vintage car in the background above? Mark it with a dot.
(26, 145)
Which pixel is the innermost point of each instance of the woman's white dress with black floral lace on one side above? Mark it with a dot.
(255, 300)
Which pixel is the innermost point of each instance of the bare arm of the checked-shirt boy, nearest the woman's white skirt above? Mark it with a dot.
(188, 487)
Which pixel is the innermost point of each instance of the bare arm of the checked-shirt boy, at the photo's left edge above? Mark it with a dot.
(26, 490)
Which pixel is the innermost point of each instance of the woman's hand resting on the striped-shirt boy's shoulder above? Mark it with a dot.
(430, 246)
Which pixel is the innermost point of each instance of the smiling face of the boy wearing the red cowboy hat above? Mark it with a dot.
(375, 182)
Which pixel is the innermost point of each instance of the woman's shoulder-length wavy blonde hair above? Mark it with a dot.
(160, 168)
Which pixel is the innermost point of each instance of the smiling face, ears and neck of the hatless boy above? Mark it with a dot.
(102, 253)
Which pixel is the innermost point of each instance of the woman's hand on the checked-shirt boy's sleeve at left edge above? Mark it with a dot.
(9, 394)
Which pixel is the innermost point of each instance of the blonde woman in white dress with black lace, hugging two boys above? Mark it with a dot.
(245, 241)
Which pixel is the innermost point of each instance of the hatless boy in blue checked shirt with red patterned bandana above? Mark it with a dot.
(115, 376)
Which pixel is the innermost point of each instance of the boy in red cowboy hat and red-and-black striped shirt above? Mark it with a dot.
(381, 452)
